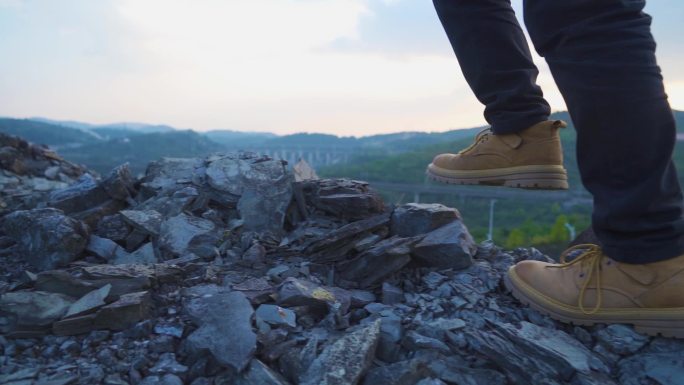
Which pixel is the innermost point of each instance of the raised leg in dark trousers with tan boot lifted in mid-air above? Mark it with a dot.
(522, 148)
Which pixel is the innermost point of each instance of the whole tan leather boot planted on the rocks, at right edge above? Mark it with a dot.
(593, 288)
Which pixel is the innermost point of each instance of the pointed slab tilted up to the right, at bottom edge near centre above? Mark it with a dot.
(346, 360)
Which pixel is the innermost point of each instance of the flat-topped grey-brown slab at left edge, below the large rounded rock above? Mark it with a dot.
(31, 310)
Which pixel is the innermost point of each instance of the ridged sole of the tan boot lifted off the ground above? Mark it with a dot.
(540, 177)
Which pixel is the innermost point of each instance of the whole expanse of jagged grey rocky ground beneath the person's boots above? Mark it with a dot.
(227, 270)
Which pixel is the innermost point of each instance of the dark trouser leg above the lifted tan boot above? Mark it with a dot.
(495, 60)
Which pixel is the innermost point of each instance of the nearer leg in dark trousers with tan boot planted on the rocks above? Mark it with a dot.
(602, 56)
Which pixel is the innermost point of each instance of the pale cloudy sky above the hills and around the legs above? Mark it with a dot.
(345, 67)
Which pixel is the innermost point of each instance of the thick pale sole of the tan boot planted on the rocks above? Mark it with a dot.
(667, 322)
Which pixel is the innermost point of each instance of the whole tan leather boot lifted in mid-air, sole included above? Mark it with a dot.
(532, 159)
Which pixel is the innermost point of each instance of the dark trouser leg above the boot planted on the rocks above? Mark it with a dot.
(602, 56)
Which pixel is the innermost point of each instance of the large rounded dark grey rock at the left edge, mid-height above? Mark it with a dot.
(47, 238)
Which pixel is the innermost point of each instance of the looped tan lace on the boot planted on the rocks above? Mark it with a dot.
(591, 256)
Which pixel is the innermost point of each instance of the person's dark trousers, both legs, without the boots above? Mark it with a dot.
(602, 57)
